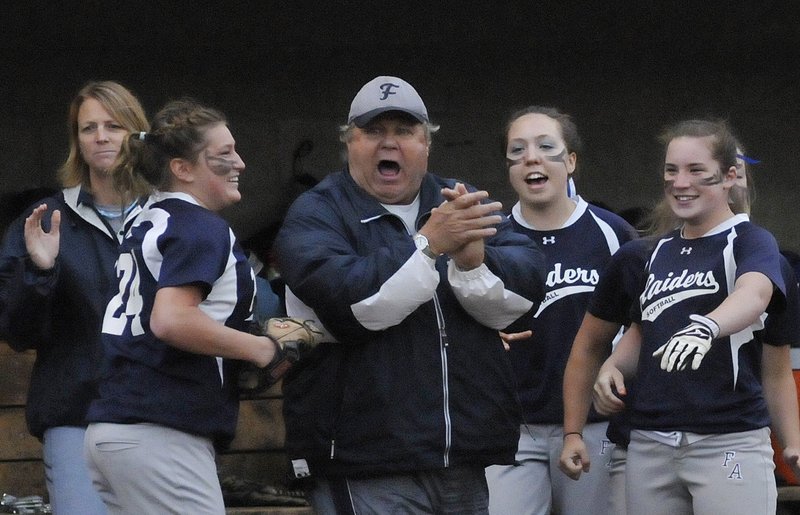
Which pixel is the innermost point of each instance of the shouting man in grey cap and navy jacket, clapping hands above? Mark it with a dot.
(412, 275)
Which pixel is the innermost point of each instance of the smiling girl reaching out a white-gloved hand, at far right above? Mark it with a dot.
(705, 391)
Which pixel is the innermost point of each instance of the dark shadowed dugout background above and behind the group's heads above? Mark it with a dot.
(285, 73)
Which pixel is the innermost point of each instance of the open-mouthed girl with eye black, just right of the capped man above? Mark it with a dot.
(577, 240)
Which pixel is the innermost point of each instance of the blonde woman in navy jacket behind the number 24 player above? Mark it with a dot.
(56, 266)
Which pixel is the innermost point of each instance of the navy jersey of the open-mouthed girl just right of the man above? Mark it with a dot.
(575, 256)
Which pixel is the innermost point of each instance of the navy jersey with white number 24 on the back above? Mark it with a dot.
(173, 242)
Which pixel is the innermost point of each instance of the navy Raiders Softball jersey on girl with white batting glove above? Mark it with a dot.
(694, 276)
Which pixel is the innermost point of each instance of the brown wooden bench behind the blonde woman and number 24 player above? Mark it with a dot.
(256, 453)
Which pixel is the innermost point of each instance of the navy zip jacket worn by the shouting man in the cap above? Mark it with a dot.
(410, 397)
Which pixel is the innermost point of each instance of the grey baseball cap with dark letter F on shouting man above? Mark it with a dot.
(383, 94)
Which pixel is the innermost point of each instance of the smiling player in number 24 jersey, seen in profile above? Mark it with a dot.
(177, 324)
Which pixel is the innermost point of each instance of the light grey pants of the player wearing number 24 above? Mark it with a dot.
(147, 468)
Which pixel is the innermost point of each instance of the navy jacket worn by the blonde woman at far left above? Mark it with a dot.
(59, 312)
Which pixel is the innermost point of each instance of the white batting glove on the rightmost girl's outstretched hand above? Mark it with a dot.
(690, 343)
